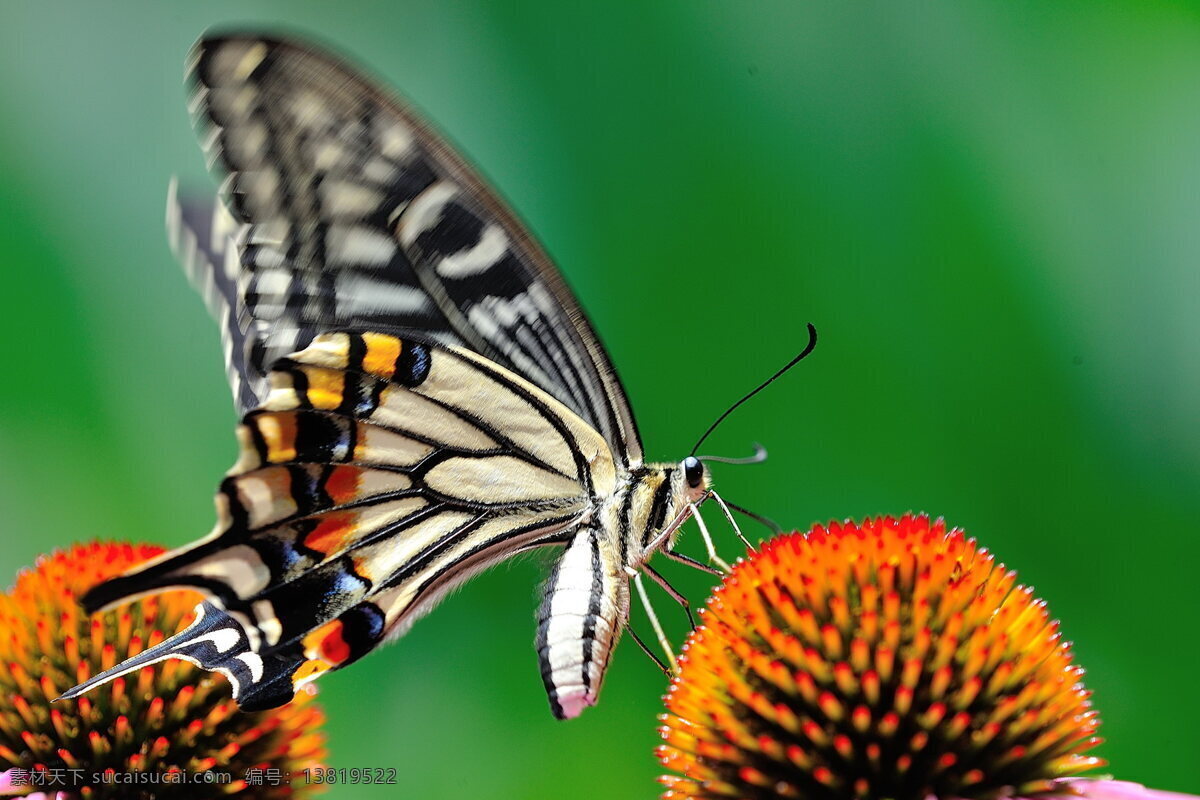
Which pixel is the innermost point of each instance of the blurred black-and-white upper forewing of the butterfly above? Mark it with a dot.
(356, 215)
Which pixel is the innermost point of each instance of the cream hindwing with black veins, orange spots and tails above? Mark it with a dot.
(379, 474)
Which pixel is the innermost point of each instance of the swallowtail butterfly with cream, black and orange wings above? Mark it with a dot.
(422, 395)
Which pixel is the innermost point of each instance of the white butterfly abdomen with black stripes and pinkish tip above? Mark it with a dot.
(586, 601)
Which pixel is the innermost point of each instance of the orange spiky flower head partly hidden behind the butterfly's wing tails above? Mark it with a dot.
(171, 719)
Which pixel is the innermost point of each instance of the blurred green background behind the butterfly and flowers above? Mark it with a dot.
(991, 212)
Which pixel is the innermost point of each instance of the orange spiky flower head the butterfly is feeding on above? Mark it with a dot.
(895, 659)
